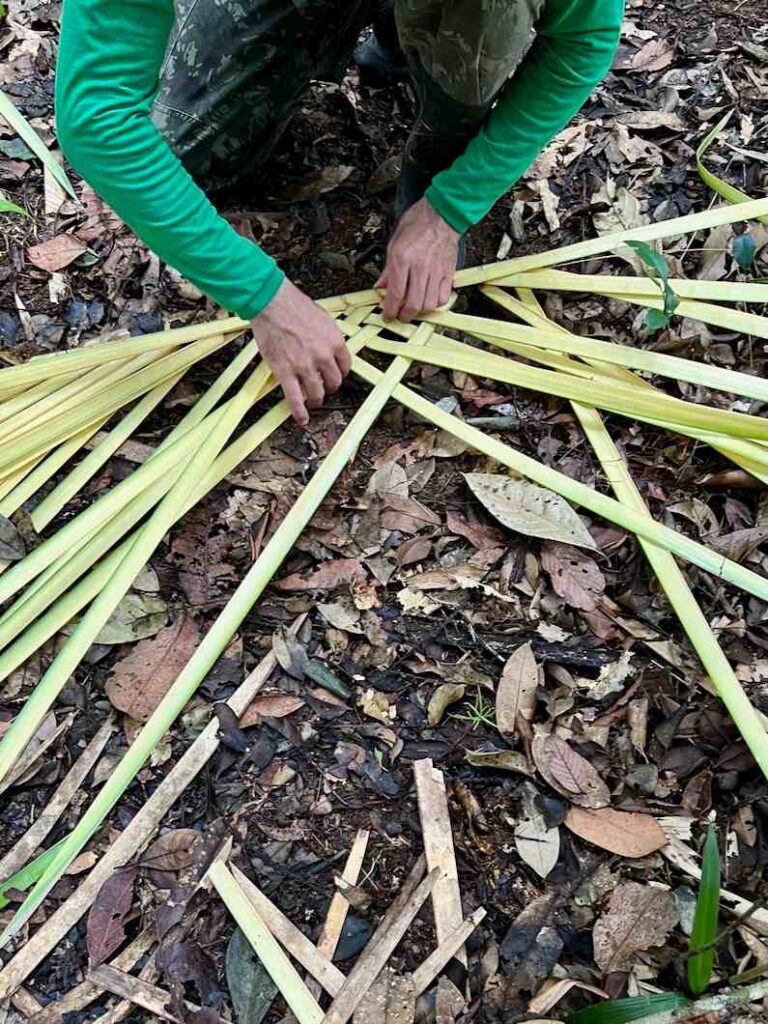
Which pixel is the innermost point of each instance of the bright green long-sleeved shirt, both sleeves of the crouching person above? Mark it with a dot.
(110, 57)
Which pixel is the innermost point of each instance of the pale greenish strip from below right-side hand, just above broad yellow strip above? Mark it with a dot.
(591, 349)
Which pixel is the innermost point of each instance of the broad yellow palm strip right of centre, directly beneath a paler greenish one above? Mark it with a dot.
(616, 398)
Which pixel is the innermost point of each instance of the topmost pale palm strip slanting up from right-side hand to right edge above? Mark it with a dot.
(607, 243)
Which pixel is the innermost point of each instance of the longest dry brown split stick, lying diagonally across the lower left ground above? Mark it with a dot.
(134, 838)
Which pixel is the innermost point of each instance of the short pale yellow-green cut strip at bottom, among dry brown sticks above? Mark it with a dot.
(267, 948)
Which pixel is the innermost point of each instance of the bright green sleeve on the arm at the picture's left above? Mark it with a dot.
(109, 60)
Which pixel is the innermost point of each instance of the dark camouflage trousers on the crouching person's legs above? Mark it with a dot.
(236, 71)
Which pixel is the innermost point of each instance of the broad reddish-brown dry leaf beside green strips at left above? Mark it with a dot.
(141, 680)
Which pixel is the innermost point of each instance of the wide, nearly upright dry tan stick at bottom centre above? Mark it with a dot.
(439, 848)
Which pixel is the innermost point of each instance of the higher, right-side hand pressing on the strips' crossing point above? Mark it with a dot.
(421, 264)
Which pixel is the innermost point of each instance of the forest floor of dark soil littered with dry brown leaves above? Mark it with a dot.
(413, 595)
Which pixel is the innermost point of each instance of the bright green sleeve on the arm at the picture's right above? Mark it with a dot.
(574, 50)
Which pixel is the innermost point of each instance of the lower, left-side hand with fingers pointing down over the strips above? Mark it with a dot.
(305, 349)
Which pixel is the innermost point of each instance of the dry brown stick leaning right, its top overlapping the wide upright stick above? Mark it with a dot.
(380, 949)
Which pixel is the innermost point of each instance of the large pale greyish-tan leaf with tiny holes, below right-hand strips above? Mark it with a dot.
(529, 509)
